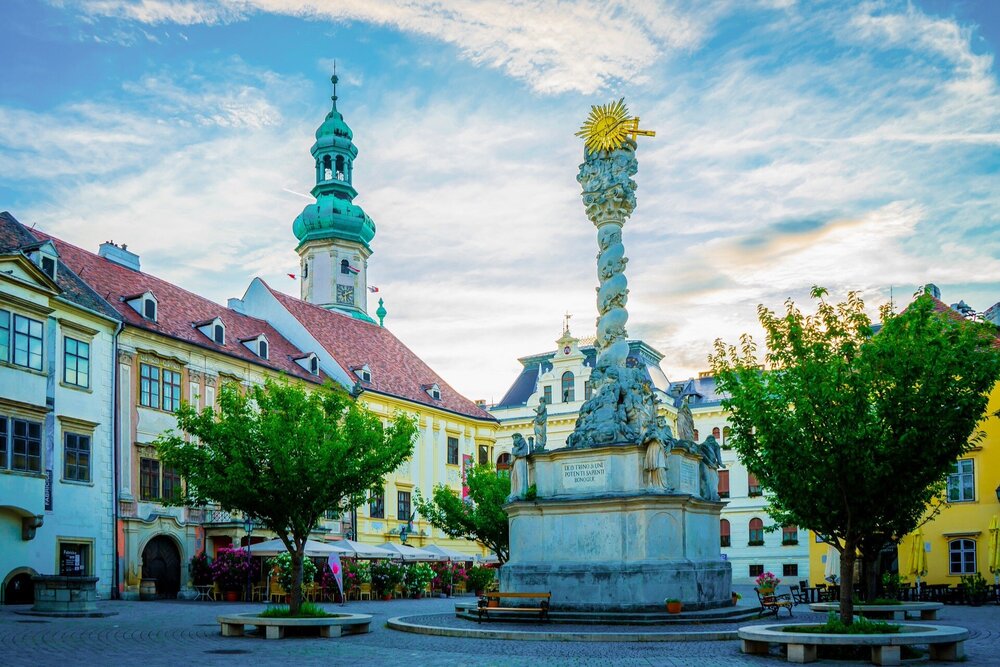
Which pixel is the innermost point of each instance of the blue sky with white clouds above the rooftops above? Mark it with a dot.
(854, 146)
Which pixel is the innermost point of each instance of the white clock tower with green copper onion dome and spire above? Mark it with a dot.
(334, 233)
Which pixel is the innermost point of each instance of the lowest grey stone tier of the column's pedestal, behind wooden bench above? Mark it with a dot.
(623, 587)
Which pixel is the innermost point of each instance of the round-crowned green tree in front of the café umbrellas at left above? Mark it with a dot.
(284, 456)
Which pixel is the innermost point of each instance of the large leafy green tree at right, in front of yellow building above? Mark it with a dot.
(852, 431)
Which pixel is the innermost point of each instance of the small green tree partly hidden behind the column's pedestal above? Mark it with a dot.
(481, 518)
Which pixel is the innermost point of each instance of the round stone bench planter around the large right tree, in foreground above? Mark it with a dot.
(943, 641)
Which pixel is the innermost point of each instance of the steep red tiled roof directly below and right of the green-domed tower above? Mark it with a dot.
(396, 370)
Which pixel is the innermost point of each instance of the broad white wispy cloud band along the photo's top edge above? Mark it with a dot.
(534, 40)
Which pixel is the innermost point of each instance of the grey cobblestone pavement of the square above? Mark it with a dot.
(185, 633)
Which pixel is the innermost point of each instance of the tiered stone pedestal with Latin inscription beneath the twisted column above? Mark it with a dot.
(599, 539)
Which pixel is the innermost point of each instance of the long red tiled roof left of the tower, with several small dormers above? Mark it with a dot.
(178, 310)
